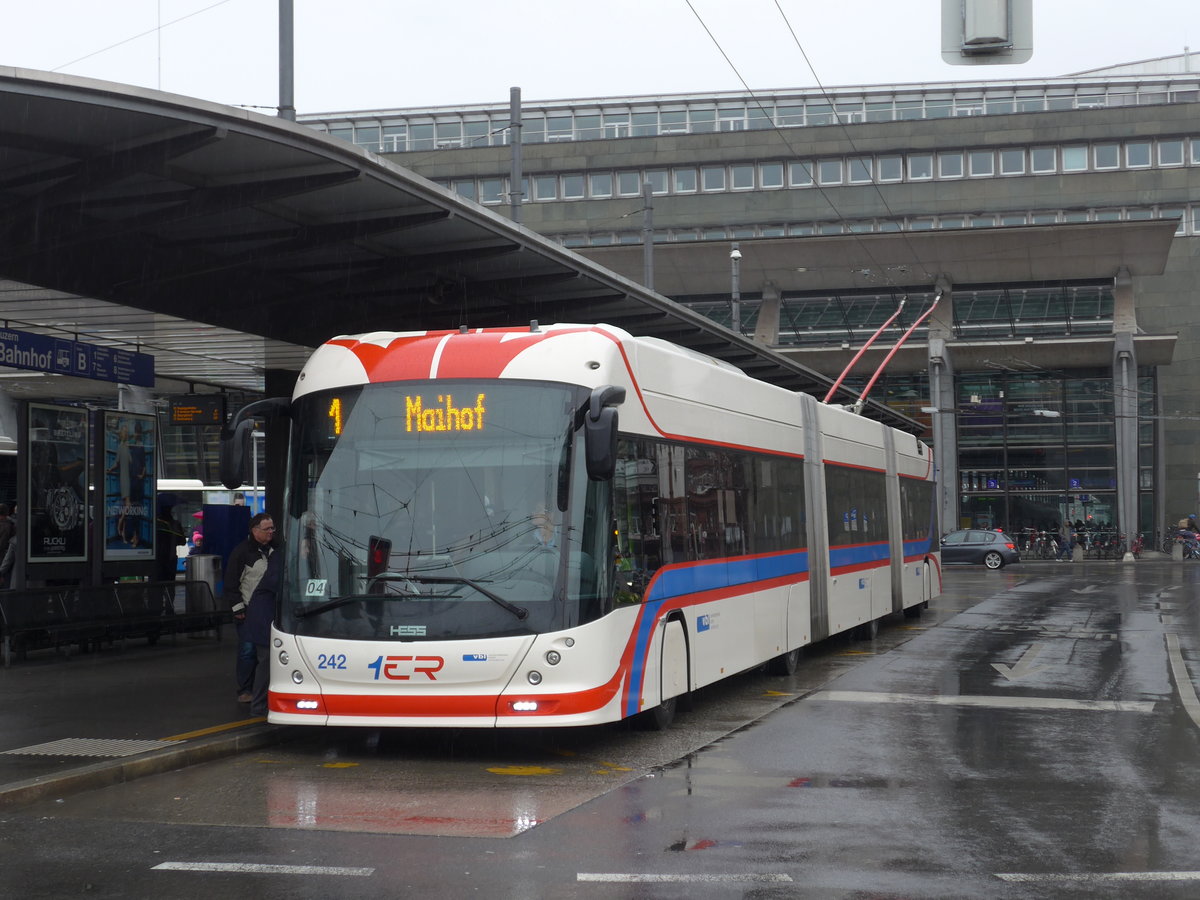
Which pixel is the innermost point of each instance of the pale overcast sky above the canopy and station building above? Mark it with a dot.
(379, 55)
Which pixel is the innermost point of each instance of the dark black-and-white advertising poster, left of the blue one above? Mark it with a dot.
(58, 484)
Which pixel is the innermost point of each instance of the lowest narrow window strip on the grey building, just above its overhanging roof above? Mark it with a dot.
(1187, 214)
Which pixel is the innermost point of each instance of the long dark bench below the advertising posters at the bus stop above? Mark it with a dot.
(59, 619)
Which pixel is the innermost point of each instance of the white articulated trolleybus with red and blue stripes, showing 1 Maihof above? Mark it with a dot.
(472, 539)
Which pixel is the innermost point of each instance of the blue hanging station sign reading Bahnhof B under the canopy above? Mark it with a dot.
(61, 356)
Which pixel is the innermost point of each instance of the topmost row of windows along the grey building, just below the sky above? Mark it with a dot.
(422, 130)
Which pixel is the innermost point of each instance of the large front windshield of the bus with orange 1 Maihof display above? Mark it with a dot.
(442, 511)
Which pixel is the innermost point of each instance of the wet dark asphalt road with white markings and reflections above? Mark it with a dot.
(1034, 735)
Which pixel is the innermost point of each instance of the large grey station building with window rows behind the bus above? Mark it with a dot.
(1055, 224)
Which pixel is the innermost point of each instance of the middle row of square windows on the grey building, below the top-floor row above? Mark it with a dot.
(884, 169)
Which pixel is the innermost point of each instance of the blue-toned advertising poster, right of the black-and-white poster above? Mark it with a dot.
(129, 484)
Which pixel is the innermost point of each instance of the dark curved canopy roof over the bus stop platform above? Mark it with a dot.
(199, 215)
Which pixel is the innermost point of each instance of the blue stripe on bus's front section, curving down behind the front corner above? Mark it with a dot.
(697, 578)
